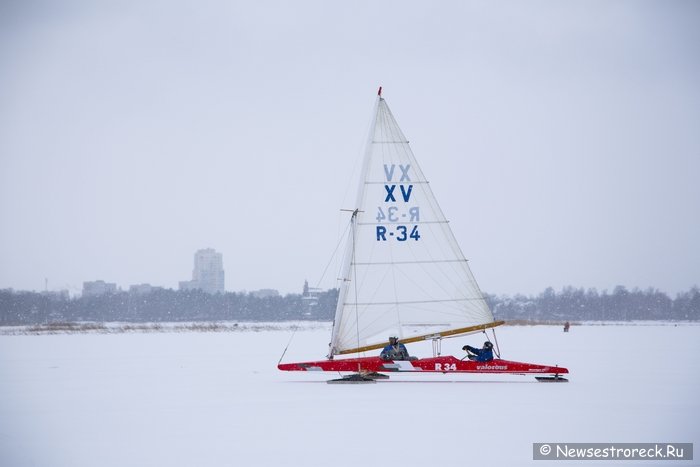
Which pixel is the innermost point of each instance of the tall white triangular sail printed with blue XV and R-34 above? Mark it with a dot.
(404, 273)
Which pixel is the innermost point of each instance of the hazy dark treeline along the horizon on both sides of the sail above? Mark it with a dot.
(571, 304)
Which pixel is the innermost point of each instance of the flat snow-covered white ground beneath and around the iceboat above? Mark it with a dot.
(217, 399)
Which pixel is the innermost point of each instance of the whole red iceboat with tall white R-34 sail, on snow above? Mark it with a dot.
(405, 275)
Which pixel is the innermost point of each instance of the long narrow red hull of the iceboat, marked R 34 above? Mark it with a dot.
(446, 364)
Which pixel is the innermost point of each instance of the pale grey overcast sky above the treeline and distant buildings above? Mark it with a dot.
(562, 139)
